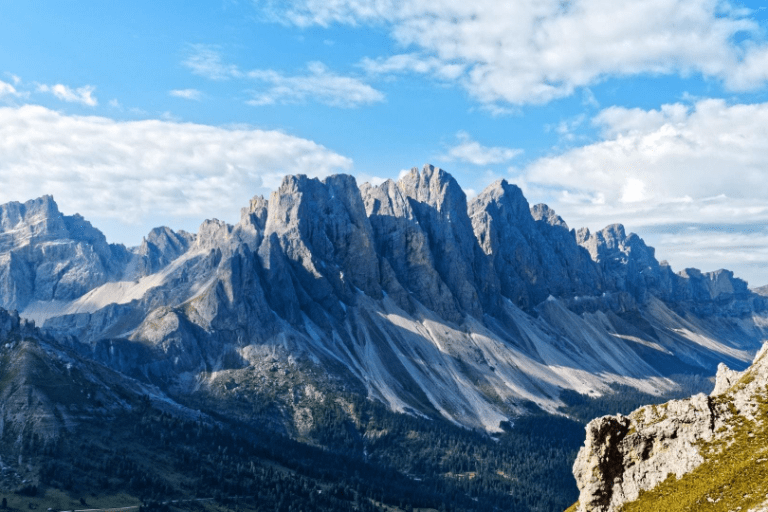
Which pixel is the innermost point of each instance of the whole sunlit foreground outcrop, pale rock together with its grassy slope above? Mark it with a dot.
(703, 453)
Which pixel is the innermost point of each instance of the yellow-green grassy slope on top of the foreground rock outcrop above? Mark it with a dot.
(734, 475)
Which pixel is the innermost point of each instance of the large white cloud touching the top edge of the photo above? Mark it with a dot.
(533, 51)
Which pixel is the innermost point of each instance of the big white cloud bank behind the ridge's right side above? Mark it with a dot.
(691, 179)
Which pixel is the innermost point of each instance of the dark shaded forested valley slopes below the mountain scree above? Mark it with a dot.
(374, 460)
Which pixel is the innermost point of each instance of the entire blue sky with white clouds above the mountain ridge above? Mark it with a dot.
(652, 114)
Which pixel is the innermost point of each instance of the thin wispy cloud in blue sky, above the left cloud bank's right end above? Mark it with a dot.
(319, 84)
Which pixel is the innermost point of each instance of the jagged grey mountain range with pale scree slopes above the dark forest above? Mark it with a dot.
(404, 292)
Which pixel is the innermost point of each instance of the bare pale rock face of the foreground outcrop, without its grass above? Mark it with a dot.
(623, 456)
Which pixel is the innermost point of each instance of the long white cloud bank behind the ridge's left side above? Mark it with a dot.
(155, 171)
